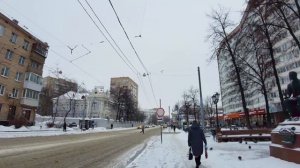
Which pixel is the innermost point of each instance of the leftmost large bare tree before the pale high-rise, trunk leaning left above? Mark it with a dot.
(225, 43)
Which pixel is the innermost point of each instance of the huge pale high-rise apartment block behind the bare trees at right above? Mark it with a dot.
(287, 58)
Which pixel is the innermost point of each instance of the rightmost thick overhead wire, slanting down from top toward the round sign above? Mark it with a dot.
(143, 65)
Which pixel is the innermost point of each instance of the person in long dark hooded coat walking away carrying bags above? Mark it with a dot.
(196, 138)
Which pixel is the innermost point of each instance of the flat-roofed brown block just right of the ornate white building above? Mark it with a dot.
(125, 83)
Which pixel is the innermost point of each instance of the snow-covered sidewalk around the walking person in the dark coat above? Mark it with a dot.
(172, 153)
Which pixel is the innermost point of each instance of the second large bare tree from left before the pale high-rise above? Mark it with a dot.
(257, 66)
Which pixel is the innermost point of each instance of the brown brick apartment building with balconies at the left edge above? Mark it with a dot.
(22, 57)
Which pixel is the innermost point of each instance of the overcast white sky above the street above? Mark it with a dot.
(172, 46)
